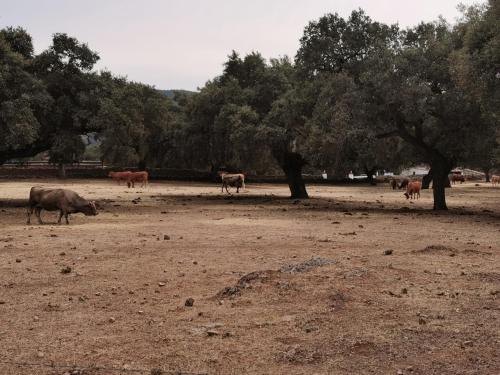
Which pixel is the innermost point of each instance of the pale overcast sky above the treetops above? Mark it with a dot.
(181, 44)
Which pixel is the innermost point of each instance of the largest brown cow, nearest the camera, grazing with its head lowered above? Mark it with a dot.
(62, 200)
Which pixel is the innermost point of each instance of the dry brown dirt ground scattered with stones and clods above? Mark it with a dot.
(278, 286)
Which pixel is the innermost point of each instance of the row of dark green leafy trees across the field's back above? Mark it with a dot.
(359, 95)
